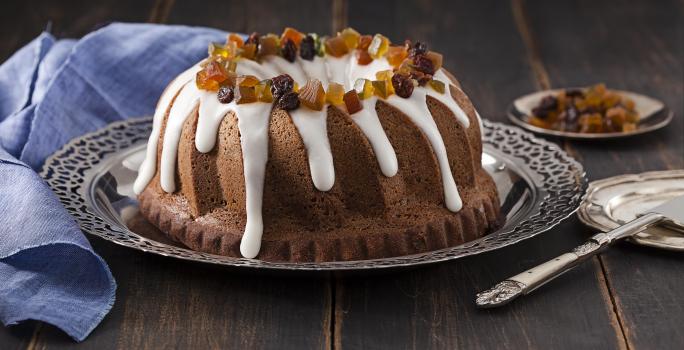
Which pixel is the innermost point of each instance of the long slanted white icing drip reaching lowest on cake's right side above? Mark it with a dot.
(416, 109)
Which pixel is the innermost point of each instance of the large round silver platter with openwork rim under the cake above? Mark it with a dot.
(539, 185)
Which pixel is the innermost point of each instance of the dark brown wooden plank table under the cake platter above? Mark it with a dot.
(629, 297)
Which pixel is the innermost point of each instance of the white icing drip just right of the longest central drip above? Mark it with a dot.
(312, 128)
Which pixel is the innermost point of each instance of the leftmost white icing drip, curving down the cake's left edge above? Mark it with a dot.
(149, 165)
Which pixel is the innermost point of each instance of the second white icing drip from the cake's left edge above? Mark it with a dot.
(185, 102)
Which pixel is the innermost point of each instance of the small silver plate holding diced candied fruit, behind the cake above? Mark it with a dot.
(653, 115)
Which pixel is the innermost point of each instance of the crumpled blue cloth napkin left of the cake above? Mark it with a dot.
(50, 92)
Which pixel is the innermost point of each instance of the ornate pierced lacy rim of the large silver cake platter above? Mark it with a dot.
(559, 179)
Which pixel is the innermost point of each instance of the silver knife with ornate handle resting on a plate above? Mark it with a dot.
(671, 212)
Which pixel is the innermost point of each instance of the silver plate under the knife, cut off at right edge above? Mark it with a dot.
(614, 201)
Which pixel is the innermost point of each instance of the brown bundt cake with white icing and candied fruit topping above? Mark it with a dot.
(303, 148)
